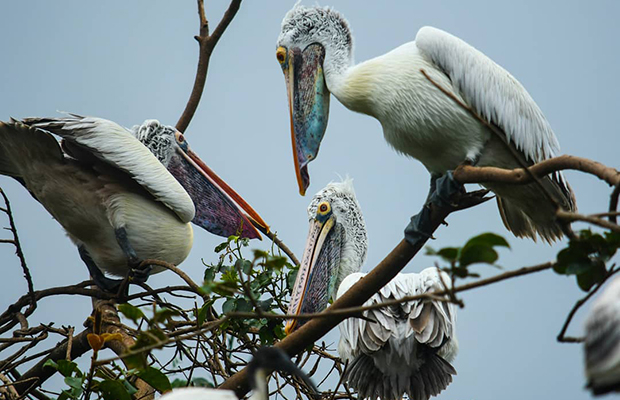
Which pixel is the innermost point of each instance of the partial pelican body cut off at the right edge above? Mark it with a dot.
(602, 344)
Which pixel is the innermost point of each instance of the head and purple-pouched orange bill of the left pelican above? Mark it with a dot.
(218, 208)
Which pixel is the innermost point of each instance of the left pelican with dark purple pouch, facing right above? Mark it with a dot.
(121, 195)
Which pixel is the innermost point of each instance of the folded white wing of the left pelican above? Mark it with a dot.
(118, 147)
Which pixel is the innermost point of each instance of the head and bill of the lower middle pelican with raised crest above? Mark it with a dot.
(336, 247)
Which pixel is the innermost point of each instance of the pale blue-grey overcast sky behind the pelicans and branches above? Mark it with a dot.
(131, 61)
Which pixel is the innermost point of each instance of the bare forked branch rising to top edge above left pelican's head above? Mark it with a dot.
(206, 45)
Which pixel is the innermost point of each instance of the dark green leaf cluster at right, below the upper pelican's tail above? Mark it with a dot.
(587, 256)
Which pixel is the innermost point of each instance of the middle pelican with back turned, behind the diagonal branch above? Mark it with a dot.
(409, 347)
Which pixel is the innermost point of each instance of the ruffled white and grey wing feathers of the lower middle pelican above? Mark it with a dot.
(431, 322)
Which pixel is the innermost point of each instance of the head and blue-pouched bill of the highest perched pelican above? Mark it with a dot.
(313, 43)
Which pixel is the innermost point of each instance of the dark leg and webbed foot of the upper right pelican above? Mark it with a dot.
(442, 189)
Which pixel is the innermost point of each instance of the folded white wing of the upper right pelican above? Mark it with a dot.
(492, 92)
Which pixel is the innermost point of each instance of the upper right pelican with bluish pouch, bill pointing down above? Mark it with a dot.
(315, 51)
